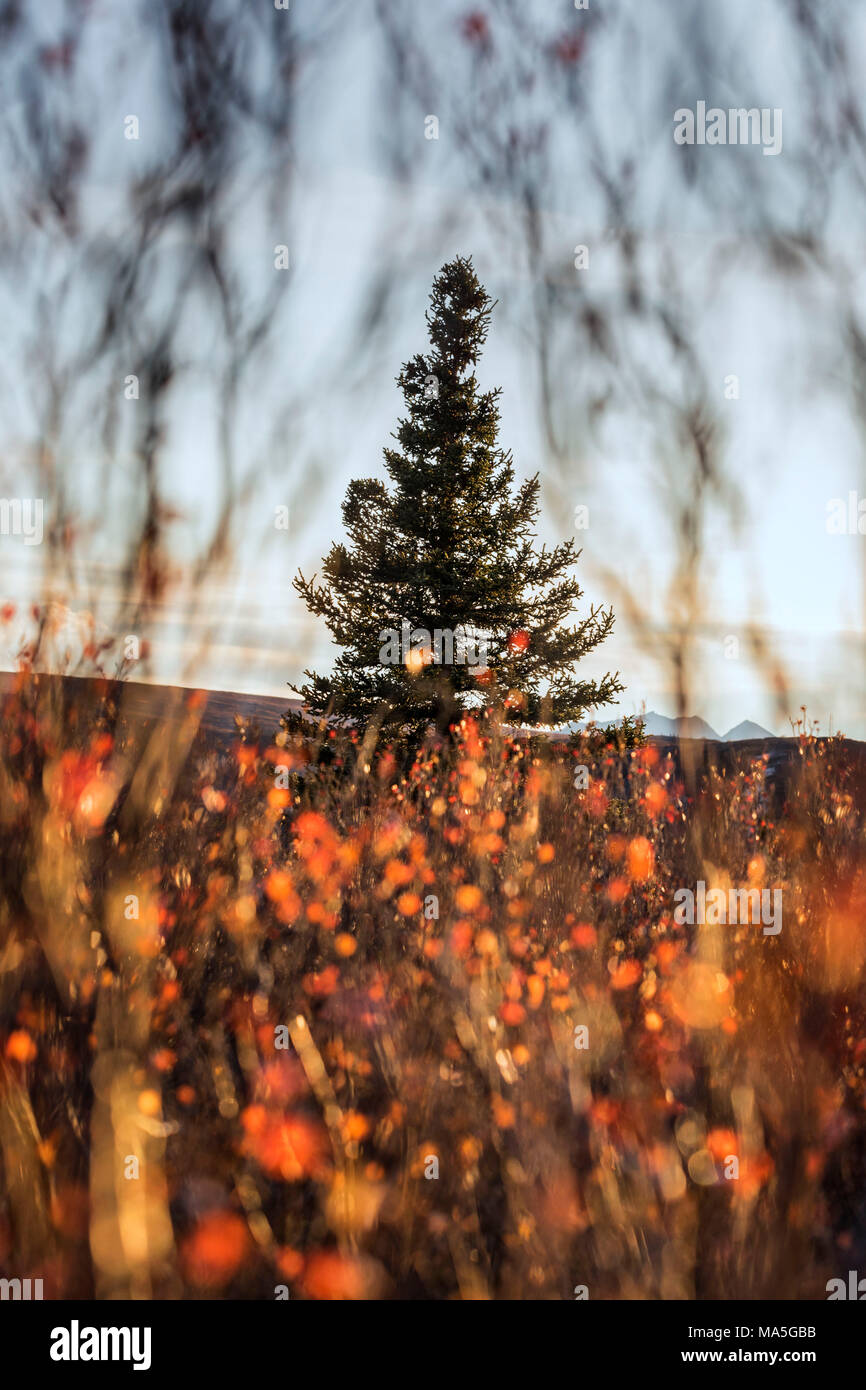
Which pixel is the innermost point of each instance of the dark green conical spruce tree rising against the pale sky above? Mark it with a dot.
(451, 548)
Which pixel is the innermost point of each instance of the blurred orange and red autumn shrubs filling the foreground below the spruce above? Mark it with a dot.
(341, 1032)
